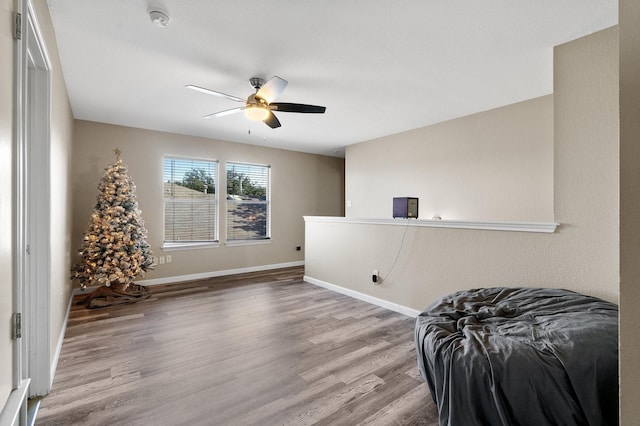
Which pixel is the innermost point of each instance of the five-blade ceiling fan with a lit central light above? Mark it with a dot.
(259, 106)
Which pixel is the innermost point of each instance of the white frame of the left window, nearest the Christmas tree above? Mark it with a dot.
(170, 245)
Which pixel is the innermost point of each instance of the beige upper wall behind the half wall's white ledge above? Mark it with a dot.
(493, 166)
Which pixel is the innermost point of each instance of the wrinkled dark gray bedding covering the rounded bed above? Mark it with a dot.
(520, 356)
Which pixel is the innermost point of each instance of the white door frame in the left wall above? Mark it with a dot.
(32, 276)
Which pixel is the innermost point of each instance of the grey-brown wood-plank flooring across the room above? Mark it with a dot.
(261, 348)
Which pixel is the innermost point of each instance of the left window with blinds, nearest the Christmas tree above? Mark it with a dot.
(190, 203)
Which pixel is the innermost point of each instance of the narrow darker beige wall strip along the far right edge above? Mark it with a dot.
(629, 210)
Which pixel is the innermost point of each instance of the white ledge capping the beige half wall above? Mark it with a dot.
(544, 227)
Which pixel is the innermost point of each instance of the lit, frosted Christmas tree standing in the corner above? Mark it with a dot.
(114, 248)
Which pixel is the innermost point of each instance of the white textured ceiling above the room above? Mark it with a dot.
(380, 67)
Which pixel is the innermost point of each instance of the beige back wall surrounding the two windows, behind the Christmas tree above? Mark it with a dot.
(302, 184)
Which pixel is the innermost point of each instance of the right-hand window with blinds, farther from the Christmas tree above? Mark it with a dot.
(248, 197)
